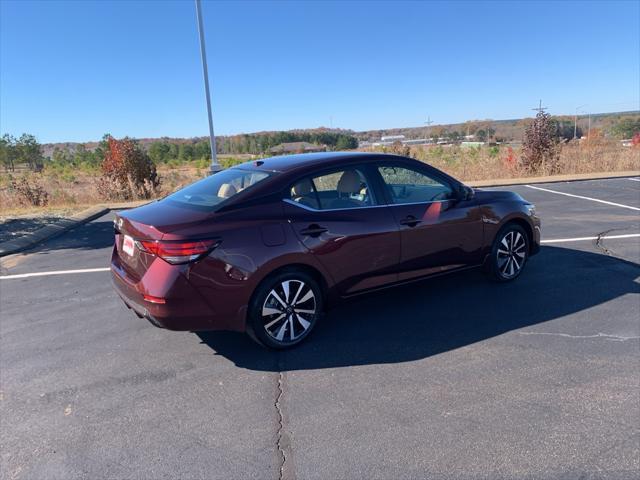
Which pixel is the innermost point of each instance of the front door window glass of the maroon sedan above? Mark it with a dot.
(406, 185)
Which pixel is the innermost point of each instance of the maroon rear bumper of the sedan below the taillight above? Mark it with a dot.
(169, 301)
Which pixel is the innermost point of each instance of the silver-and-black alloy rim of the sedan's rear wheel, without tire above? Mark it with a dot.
(288, 310)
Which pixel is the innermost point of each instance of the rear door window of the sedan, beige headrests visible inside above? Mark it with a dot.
(347, 188)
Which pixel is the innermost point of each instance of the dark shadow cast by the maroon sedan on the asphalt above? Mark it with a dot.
(441, 314)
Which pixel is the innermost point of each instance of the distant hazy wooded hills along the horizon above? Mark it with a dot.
(509, 130)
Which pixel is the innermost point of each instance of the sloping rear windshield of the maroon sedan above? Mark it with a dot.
(212, 191)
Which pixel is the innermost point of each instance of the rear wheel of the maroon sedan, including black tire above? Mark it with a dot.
(284, 309)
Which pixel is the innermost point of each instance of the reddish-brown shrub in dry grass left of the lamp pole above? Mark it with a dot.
(127, 172)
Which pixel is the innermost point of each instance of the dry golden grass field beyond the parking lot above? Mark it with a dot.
(71, 190)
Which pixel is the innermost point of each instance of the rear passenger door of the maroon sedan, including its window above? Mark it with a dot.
(341, 220)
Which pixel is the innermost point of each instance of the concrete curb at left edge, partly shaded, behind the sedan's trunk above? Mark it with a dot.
(64, 225)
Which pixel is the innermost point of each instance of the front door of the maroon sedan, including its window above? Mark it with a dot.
(438, 231)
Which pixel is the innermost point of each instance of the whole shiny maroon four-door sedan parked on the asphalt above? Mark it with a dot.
(265, 246)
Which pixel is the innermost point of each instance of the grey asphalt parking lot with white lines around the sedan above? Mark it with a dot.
(455, 377)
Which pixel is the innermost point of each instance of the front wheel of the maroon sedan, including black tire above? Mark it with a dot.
(509, 253)
